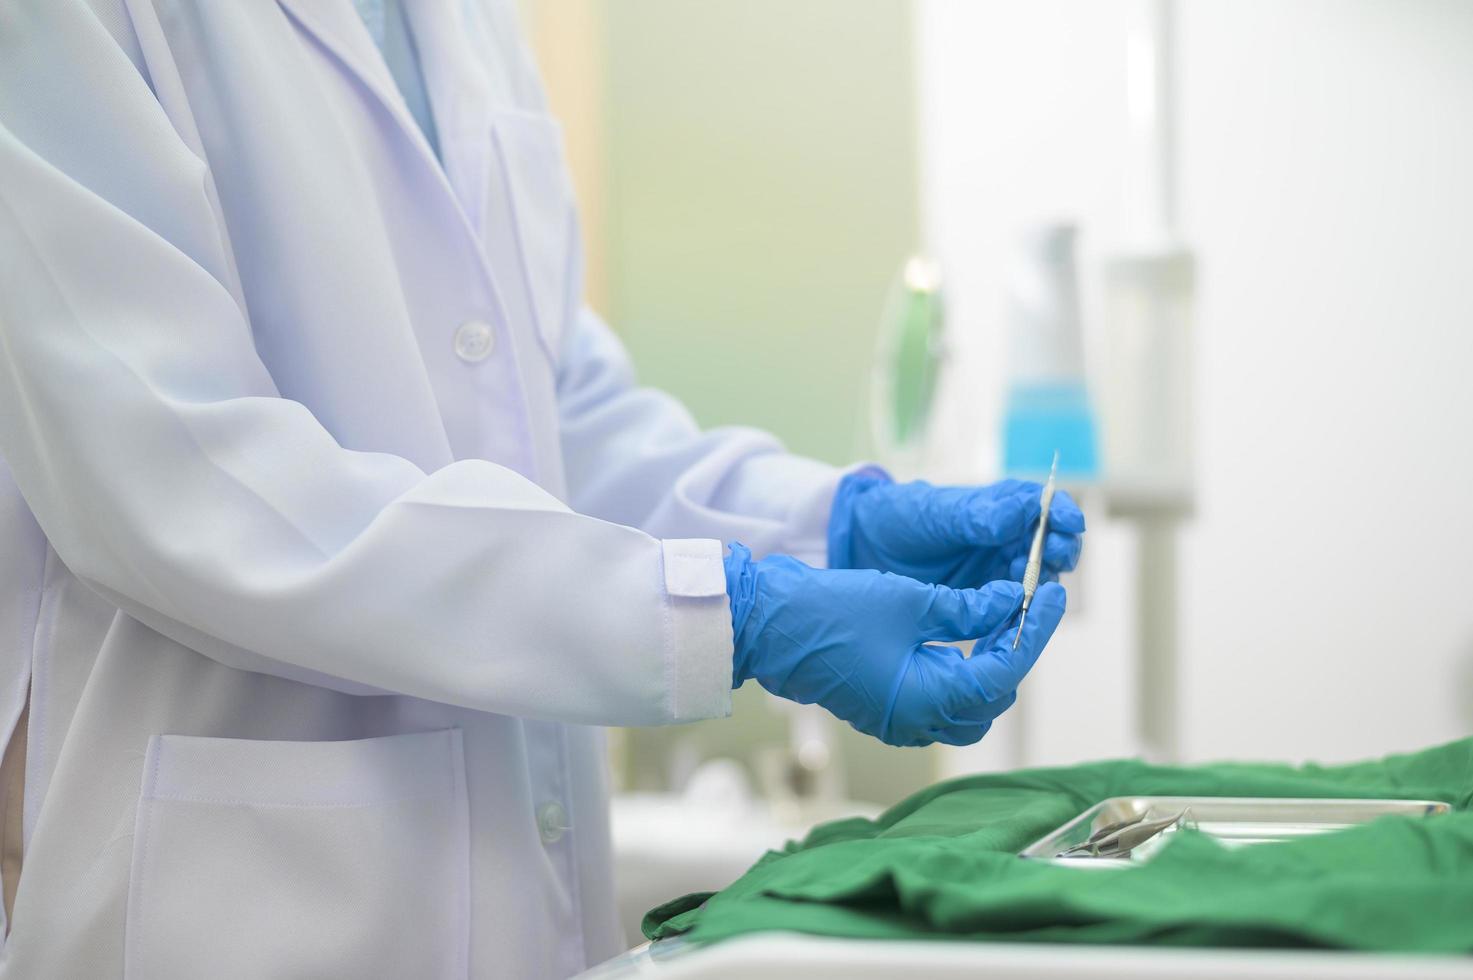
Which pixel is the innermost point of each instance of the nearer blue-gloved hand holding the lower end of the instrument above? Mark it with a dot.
(857, 642)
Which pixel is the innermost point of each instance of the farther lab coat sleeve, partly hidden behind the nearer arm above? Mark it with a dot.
(637, 458)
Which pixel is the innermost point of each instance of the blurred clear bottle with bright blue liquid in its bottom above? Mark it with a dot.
(1048, 402)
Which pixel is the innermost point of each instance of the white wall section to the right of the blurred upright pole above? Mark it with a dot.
(1328, 155)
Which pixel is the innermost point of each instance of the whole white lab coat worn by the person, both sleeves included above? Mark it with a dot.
(337, 521)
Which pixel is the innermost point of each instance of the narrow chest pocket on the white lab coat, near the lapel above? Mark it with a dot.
(540, 203)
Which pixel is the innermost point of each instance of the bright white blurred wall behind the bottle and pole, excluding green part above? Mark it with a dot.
(1323, 158)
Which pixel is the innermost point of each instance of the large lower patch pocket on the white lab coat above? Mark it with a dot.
(301, 860)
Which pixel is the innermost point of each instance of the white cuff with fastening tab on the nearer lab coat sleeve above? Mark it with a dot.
(699, 630)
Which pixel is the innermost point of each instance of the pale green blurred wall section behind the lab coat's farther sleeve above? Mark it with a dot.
(762, 164)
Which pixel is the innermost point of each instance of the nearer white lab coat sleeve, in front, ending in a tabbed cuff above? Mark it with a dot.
(166, 469)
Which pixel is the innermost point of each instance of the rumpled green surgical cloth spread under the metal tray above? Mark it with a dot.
(945, 864)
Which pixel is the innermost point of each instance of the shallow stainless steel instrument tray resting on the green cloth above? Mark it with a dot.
(1237, 822)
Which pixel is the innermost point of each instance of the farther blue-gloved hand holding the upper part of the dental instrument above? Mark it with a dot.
(952, 536)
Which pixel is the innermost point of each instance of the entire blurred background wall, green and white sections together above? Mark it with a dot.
(755, 172)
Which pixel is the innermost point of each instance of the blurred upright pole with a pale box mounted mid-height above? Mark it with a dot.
(1150, 288)
